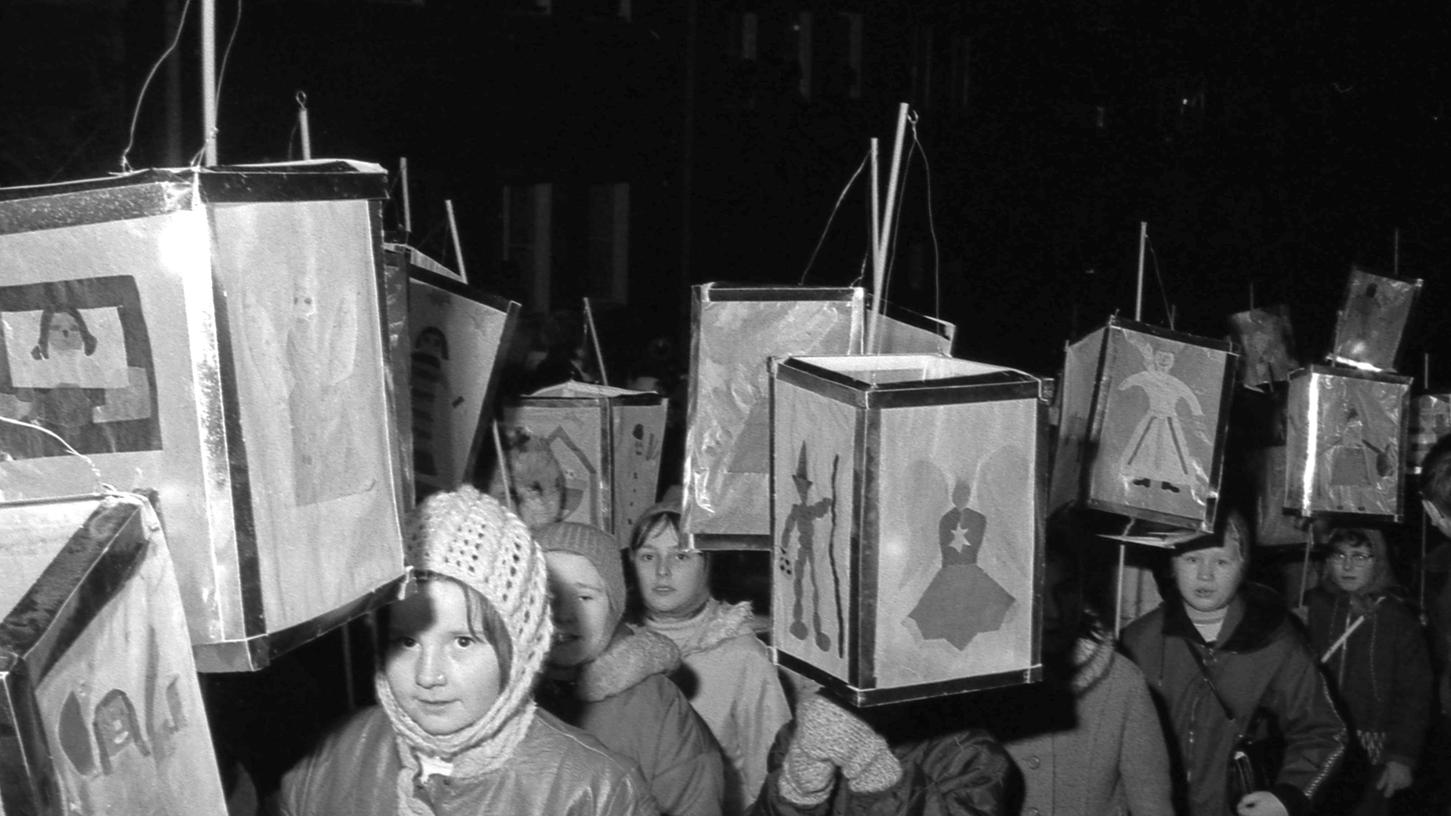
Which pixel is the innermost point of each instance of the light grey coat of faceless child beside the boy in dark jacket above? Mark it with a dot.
(1105, 759)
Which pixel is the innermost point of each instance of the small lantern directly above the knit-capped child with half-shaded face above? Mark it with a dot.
(603, 445)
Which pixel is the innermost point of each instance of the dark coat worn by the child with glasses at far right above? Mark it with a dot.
(1382, 673)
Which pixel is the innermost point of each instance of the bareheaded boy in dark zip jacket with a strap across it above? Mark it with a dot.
(1218, 654)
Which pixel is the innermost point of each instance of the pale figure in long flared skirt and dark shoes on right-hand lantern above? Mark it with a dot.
(1159, 452)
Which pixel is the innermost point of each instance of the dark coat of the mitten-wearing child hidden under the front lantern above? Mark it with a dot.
(958, 775)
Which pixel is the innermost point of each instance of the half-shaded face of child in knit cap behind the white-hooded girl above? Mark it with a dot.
(581, 609)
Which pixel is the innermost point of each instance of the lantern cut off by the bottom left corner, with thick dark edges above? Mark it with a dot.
(101, 711)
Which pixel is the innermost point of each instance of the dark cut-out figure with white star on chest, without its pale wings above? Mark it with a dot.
(963, 600)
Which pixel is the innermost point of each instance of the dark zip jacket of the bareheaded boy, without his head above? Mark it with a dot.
(1262, 661)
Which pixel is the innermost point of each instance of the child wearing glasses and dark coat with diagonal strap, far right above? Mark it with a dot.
(1376, 657)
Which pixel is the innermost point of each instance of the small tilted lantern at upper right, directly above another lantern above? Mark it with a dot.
(1370, 326)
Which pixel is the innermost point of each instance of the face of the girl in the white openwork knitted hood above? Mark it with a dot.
(440, 672)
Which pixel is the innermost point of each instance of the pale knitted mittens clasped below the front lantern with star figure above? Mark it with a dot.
(828, 738)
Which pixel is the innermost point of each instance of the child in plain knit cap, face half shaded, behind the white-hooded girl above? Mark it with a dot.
(613, 683)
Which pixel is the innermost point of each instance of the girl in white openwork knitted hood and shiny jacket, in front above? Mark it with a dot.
(456, 730)
